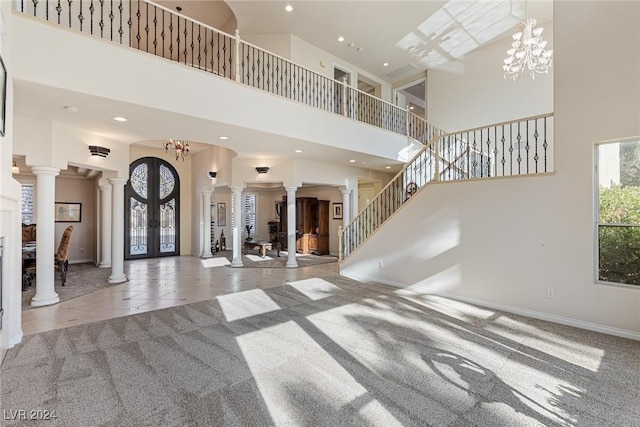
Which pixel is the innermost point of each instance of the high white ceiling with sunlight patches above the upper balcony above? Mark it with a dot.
(409, 36)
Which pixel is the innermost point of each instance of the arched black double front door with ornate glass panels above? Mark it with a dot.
(152, 220)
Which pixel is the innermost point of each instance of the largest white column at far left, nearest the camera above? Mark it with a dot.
(45, 237)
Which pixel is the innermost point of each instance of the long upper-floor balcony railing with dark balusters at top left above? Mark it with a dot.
(154, 29)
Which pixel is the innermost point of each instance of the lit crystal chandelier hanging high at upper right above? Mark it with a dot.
(527, 50)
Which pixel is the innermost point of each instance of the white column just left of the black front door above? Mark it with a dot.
(117, 231)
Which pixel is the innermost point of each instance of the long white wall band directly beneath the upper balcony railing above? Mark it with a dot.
(71, 61)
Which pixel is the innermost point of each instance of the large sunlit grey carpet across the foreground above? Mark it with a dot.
(324, 352)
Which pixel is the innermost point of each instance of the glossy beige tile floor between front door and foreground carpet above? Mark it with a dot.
(160, 283)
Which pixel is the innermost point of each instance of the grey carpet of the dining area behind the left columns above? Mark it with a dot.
(82, 279)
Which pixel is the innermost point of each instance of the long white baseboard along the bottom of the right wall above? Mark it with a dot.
(596, 327)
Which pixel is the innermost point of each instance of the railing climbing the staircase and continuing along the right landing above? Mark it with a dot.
(520, 147)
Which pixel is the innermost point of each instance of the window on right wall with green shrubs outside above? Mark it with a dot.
(618, 215)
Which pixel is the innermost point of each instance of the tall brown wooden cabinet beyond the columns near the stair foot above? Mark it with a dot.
(312, 225)
